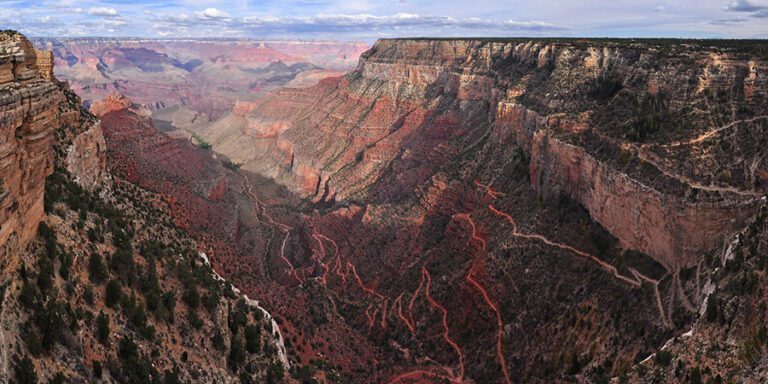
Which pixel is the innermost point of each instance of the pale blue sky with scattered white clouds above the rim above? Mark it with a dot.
(367, 20)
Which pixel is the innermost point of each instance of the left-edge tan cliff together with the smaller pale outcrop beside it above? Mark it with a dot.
(32, 107)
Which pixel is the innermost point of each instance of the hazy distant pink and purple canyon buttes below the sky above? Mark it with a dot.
(193, 82)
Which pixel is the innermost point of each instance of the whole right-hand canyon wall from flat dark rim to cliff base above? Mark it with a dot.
(571, 105)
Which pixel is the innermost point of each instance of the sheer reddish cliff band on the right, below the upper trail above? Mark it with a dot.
(674, 229)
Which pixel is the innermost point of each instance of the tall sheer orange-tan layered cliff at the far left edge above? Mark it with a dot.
(28, 117)
